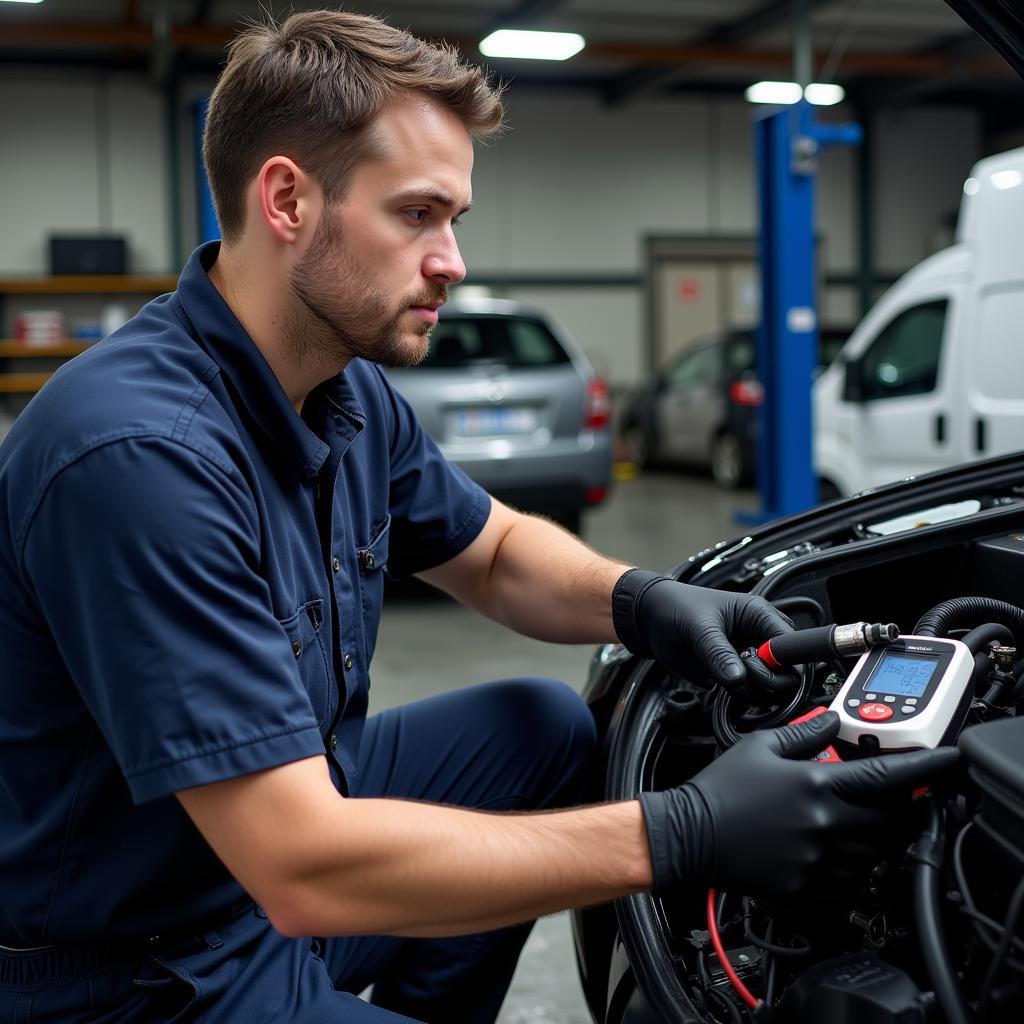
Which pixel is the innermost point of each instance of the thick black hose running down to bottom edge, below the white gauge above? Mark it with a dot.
(928, 855)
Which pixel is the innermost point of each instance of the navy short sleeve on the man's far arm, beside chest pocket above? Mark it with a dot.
(437, 510)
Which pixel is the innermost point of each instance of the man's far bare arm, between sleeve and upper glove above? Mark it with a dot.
(539, 580)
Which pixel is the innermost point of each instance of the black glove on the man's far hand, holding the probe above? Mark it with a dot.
(693, 630)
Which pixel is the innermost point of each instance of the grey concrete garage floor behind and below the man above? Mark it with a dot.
(432, 645)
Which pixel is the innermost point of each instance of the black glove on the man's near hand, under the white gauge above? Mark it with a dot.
(766, 822)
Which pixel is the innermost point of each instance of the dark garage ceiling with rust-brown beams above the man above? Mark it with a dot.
(887, 53)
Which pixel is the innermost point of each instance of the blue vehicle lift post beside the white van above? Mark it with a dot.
(788, 145)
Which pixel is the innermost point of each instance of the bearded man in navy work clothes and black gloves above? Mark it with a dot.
(195, 520)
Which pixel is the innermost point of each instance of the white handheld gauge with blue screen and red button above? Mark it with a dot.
(914, 693)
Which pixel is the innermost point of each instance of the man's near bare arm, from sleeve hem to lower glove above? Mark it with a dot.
(323, 865)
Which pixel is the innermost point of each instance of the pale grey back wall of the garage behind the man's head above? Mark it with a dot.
(564, 202)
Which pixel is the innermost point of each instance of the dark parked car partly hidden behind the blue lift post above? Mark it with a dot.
(702, 409)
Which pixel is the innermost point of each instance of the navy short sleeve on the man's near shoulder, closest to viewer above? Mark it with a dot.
(145, 559)
